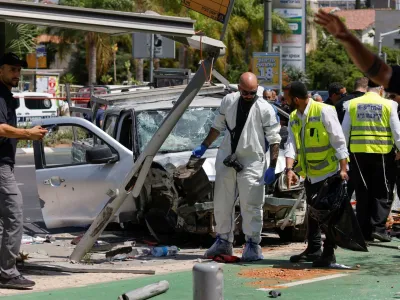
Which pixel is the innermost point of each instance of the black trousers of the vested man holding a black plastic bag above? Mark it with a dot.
(313, 229)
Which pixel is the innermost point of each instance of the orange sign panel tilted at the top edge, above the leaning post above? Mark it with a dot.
(214, 9)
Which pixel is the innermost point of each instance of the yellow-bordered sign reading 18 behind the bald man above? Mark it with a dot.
(268, 69)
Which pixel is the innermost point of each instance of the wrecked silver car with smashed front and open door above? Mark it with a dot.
(73, 192)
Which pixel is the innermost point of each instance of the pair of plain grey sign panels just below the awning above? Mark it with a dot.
(163, 47)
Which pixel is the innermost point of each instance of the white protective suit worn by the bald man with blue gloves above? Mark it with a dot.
(261, 123)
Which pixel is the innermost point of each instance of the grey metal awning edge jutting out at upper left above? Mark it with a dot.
(96, 20)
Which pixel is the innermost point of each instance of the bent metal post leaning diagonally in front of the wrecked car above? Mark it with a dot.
(134, 181)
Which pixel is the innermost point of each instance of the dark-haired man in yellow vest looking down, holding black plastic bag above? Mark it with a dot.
(317, 141)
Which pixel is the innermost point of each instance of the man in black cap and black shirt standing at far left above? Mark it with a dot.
(11, 220)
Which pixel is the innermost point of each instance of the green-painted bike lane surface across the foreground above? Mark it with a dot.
(378, 277)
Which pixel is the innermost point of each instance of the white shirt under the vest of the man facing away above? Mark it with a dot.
(393, 121)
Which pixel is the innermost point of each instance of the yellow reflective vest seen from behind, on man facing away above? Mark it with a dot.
(370, 118)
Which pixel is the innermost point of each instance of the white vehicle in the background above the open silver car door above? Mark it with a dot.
(34, 105)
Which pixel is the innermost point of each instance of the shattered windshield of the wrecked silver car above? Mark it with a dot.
(190, 131)
